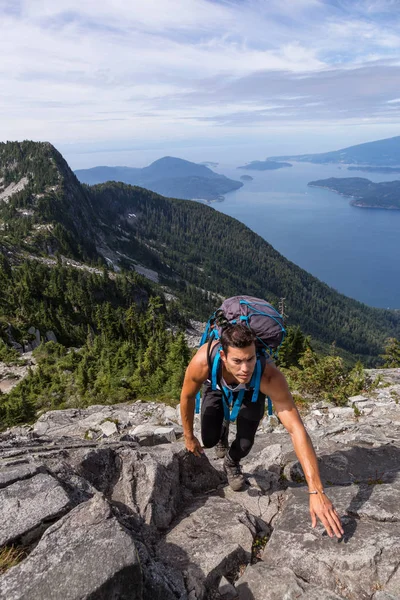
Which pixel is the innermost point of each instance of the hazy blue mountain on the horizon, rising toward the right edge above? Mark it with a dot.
(379, 153)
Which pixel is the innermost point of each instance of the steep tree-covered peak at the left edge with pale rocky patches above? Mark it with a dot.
(43, 207)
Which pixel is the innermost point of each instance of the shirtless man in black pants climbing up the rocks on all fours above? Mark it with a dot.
(238, 362)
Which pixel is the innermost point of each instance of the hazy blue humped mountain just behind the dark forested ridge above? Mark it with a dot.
(171, 177)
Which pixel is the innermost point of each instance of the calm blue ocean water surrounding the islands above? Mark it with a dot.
(354, 250)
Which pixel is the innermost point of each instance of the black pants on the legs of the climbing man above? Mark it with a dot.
(248, 419)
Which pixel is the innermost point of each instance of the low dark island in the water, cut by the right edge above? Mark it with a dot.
(364, 193)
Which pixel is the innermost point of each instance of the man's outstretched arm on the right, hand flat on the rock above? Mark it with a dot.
(274, 384)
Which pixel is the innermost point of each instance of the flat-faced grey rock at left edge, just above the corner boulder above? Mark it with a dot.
(29, 506)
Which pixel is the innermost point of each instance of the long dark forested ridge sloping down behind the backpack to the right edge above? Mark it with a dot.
(218, 253)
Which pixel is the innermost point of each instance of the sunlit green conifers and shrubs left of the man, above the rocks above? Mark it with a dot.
(132, 356)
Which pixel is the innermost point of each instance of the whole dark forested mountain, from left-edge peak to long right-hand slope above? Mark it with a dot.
(192, 252)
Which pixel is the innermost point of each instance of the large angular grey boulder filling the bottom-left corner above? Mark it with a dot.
(86, 555)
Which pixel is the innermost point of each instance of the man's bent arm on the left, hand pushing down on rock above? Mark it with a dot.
(195, 375)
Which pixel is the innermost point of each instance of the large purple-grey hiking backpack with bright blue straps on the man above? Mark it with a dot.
(267, 325)
